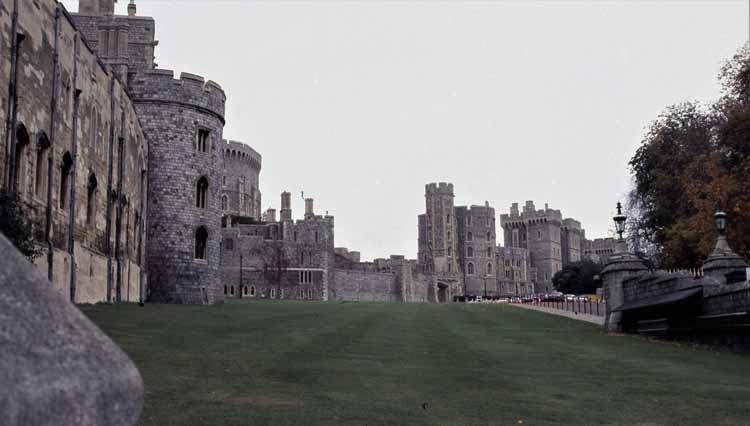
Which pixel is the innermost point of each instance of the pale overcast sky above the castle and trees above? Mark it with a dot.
(360, 103)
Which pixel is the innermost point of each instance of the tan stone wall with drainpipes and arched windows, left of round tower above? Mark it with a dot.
(103, 227)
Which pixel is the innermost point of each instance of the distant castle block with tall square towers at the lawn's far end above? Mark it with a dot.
(457, 244)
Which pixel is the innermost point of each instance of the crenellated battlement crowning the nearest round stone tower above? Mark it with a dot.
(190, 90)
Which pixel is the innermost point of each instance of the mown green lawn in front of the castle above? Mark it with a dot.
(307, 363)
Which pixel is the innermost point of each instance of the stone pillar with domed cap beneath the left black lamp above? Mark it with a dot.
(619, 266)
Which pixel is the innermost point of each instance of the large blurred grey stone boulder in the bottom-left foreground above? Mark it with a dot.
(56, 367)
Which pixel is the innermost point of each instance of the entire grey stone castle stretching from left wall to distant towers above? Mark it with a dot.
(135, 195)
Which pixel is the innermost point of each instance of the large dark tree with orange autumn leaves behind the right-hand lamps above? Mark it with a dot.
(694, 159)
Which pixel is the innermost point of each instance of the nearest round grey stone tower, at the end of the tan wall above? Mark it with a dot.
(183, 121)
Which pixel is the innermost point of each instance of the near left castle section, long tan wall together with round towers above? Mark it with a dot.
(121, 167)
